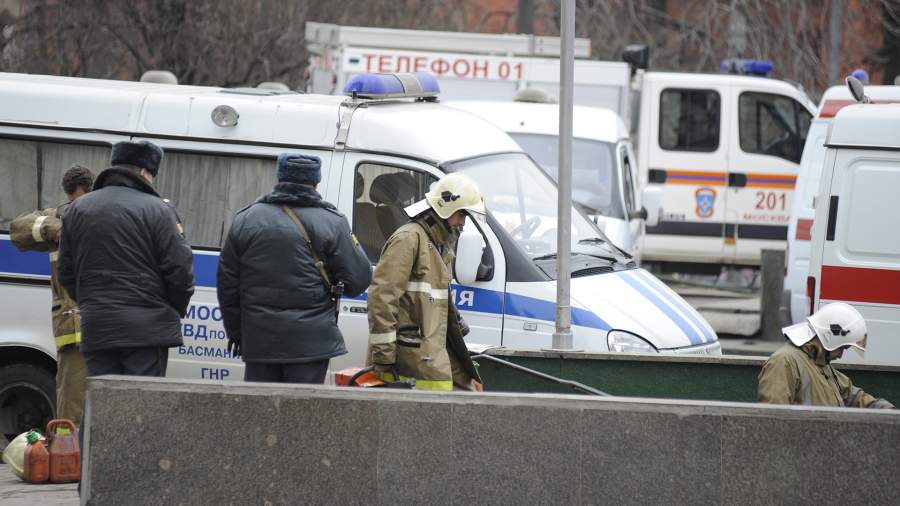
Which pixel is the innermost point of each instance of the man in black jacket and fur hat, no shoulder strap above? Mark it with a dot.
(124, 259)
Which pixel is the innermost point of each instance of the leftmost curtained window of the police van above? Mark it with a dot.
(32, 171)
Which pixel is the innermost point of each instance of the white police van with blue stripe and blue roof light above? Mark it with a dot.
(381, 147)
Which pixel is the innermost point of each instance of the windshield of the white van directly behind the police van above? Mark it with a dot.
(594, 181)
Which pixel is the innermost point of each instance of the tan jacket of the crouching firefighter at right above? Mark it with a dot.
(792, 376)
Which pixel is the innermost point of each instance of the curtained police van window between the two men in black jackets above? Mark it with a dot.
(208, 189)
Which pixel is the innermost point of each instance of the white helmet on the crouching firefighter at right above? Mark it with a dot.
(837, 324)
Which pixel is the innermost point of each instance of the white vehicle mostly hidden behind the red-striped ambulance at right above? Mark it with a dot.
(802, 209)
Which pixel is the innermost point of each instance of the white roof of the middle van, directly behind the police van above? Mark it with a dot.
(593, 123)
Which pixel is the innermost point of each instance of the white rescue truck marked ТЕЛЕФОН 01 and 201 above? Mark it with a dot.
(723, 148)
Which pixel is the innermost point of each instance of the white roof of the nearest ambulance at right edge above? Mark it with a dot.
(866, 126)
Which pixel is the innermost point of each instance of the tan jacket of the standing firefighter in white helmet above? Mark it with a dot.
(409, 303)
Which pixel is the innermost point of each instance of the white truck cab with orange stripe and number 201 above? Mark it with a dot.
(725, 150)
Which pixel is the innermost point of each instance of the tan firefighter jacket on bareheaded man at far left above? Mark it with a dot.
(40, 231)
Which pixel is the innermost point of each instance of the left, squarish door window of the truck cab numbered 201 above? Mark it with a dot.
(689, 120)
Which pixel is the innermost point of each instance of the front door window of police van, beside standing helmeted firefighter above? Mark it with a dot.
(380, 194)
